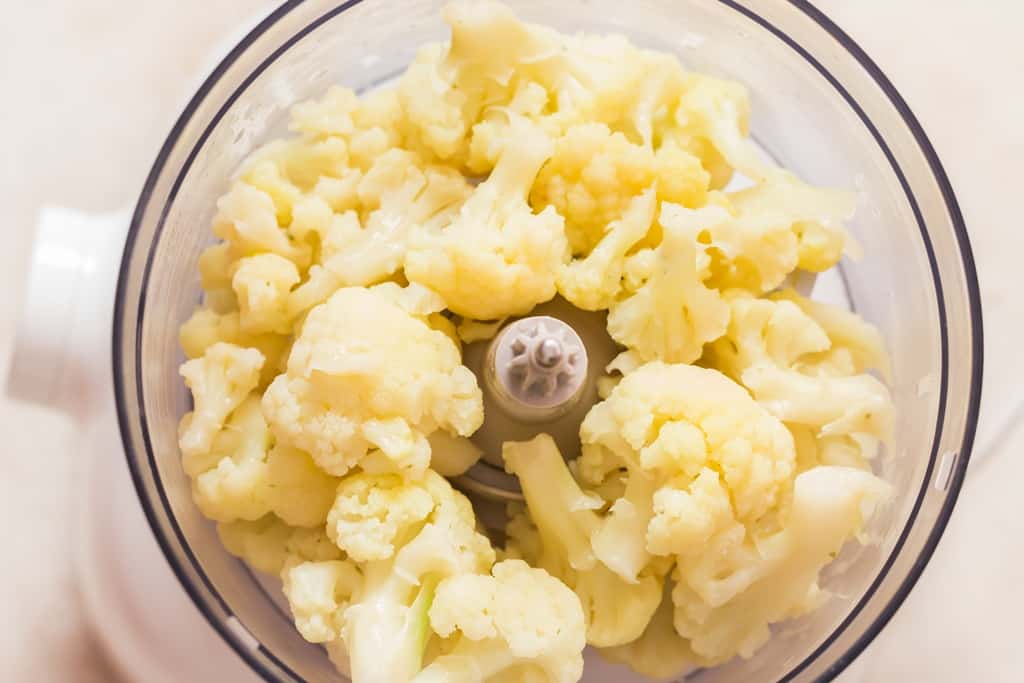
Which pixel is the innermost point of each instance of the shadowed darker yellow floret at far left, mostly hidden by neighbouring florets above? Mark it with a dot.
(207, 328)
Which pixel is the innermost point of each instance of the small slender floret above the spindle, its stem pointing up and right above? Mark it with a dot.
(595, 282)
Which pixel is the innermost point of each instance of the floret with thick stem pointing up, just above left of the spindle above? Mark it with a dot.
(497, 259)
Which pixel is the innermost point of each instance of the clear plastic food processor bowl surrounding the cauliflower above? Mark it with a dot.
(821, 108)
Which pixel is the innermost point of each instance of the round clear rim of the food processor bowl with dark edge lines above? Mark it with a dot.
(124, 395)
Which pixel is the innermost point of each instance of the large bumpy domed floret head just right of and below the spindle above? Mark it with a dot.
(673, 421)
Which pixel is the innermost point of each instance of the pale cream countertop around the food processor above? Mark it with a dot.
(91, 90)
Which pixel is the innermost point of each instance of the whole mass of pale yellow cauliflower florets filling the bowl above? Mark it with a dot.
(729, 461)
